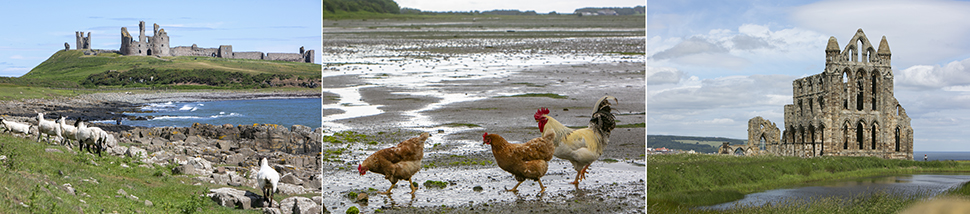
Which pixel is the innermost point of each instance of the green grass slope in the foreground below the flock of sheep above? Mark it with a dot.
(35, 177)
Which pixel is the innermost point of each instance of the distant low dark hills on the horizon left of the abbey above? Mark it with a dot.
(698, 144)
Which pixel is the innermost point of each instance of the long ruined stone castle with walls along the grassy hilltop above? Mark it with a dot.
(158, 45)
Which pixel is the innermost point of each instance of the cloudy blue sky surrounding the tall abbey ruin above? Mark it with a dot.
(713, 65)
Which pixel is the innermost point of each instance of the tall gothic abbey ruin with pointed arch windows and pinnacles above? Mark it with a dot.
(847, 110)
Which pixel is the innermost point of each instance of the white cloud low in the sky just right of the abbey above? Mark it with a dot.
(954, 76)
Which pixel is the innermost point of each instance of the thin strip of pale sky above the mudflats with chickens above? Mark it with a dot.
(540, 6)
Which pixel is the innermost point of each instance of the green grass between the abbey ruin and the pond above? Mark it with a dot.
(682, 181)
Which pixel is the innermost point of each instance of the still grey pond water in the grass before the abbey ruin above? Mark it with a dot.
(907, 185)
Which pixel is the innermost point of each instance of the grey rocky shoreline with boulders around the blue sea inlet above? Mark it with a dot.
(220, 155)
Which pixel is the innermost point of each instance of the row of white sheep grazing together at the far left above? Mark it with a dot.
(92, 138)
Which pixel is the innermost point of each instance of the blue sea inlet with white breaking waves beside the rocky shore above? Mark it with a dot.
(285, 112)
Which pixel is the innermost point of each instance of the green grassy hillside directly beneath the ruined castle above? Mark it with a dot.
(68, 68)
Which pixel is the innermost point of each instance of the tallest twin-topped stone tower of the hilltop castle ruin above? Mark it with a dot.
(155, 45)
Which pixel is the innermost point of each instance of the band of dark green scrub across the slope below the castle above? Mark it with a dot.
(141, 77)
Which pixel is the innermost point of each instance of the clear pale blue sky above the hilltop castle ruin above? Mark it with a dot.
(33, 30)
